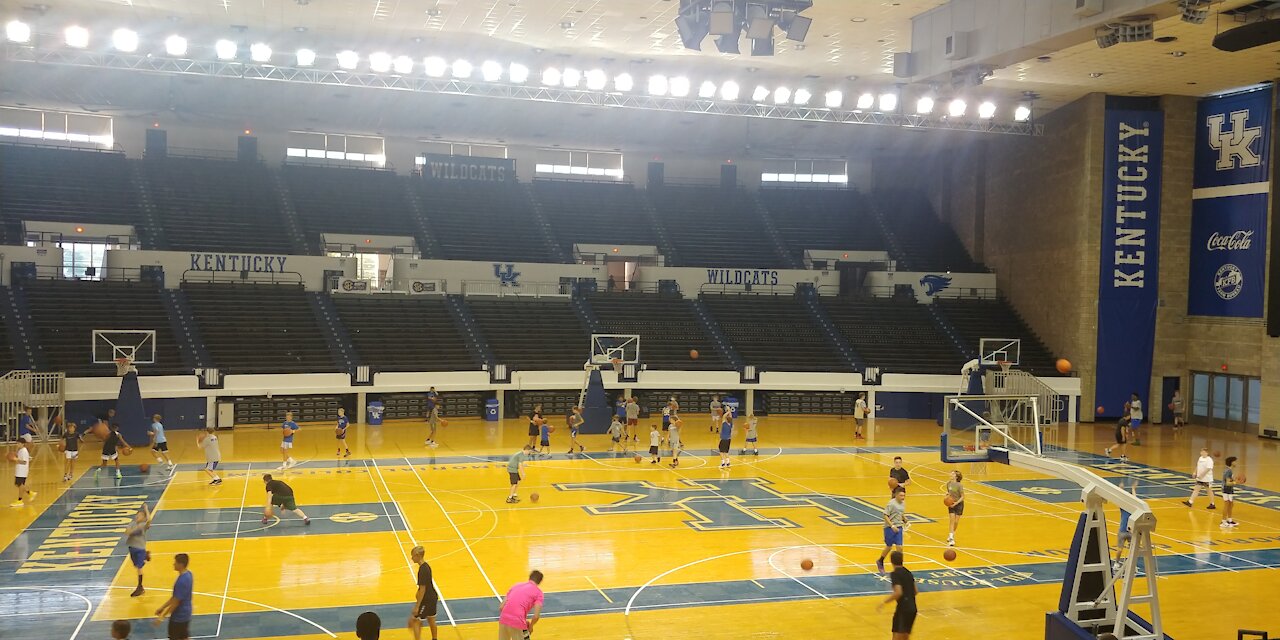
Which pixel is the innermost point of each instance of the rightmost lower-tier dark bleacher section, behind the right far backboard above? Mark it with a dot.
(979, 319)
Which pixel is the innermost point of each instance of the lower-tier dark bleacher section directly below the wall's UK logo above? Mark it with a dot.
(533, 335)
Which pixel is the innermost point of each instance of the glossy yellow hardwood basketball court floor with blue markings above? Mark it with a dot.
(629, 550)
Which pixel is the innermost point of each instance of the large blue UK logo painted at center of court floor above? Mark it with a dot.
(729, 505)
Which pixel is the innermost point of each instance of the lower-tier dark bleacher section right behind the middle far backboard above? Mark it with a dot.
(666, 324)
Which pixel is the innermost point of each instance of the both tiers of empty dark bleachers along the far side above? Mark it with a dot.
(212, 205)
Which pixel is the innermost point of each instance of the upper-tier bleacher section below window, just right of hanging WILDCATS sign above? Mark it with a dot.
(595, 213)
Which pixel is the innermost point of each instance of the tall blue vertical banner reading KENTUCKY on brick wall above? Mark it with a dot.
(1128, 273)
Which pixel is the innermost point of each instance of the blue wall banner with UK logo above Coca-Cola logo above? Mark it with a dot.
(1229, 211)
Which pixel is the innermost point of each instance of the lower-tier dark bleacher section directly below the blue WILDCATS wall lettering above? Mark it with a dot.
(774, 333)
